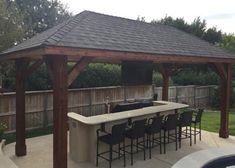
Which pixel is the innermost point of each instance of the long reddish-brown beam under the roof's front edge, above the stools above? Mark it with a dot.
(122, 55)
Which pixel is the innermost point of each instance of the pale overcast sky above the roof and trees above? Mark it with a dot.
(218, 13)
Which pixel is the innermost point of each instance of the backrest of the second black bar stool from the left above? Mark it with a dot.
(138, 128)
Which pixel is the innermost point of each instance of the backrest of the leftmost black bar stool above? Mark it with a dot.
(118, 133)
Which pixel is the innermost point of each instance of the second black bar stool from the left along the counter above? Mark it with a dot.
(136, 132)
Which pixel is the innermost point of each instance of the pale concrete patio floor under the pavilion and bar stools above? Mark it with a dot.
(40, 153)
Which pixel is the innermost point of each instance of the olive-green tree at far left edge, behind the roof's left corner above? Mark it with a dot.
(11, 33)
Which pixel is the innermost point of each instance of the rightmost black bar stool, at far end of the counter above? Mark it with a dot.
(197, 117)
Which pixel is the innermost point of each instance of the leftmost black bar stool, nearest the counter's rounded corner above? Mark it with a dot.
(116, 137)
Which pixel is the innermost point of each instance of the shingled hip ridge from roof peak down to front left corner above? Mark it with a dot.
(62, 30)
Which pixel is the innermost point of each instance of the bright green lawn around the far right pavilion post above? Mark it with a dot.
(211, 122)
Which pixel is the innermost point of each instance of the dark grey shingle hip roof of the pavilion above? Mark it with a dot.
(99, 31)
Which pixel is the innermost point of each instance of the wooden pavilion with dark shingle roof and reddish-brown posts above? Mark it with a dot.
(92, 37)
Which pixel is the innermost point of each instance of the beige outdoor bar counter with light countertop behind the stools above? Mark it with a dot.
(82, 130)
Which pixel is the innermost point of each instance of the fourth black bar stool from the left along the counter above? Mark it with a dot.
(170, 124)
